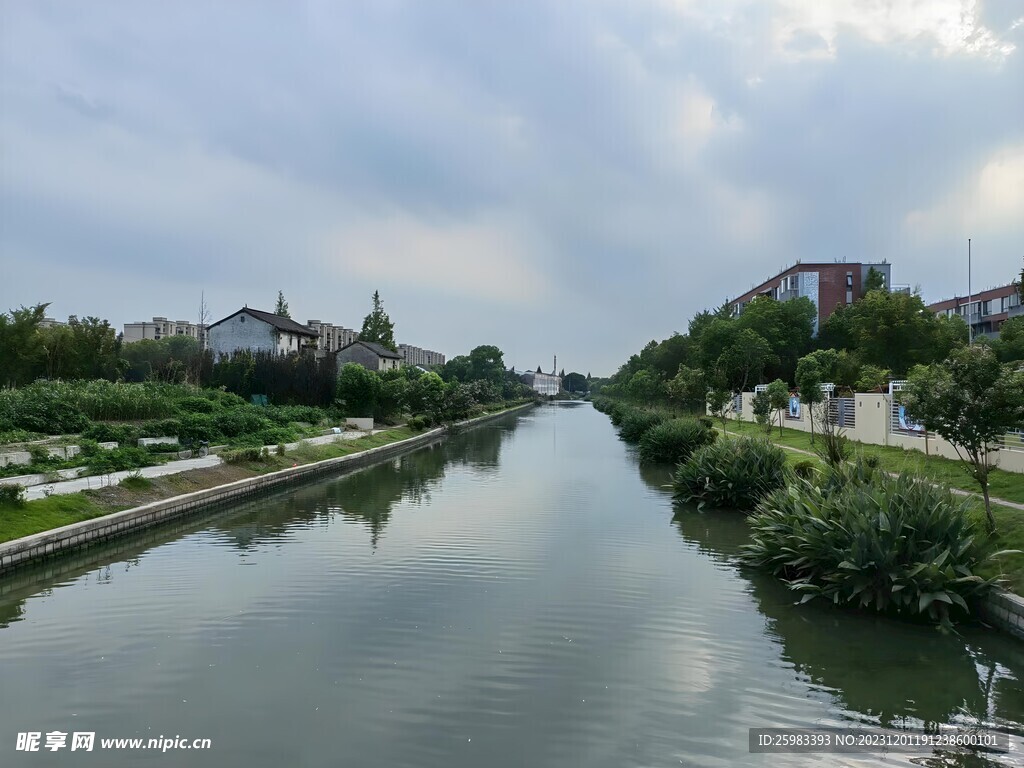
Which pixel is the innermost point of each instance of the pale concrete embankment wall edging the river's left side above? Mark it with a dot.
(33, 548)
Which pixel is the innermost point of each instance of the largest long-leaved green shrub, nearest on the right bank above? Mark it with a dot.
(895, 544)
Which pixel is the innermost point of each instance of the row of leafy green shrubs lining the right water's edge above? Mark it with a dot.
(846, 532)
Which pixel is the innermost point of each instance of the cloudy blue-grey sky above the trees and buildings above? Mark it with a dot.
(570, 177)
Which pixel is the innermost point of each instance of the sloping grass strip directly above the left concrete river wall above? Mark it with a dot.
(56, 511)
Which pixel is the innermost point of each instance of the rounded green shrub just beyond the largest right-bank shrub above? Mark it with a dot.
(732, 474)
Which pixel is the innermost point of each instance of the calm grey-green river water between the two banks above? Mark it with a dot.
(524, 594)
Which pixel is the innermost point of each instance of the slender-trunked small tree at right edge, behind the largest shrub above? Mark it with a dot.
(972, 401)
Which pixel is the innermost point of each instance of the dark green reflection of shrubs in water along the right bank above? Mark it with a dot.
(879, 670)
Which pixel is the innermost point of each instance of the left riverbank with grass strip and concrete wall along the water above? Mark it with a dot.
(45, 528)
